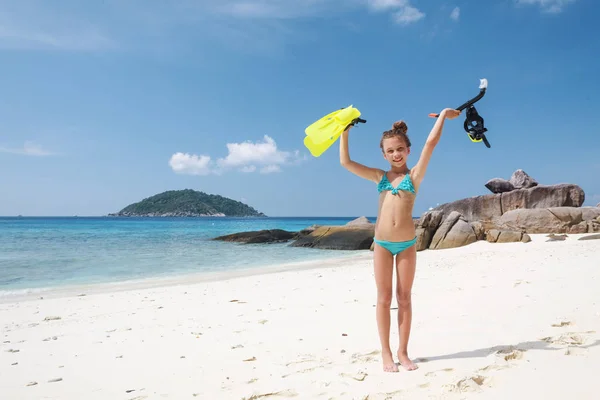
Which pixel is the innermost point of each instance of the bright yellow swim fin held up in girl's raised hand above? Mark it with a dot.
(324, 132)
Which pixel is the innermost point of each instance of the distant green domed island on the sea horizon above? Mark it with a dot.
(187, 203)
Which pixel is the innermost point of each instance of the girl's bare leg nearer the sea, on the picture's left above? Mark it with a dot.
(384, 272)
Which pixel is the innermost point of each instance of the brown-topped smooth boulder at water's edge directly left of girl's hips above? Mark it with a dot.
(338, 238)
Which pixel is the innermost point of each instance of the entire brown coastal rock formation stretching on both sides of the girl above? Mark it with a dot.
(515, 209)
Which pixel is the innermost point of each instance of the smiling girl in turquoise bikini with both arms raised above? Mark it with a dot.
(395, 230)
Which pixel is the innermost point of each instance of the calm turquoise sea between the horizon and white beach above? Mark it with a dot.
(53, 252)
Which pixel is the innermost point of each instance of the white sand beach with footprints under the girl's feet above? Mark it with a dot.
(490, 321)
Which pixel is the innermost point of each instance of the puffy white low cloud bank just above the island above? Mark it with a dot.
(244, 157)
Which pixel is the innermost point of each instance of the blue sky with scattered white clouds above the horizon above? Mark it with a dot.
(105, 103)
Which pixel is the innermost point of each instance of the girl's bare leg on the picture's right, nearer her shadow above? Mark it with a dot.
(406, 262)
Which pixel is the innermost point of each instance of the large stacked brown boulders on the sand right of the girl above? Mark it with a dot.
(515, 209)
